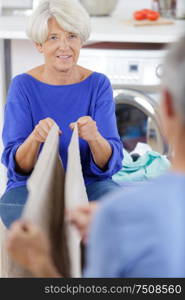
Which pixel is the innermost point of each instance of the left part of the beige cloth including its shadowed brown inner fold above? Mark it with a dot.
(45, 206)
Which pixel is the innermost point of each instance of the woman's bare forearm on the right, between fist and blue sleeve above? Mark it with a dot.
(101, 151)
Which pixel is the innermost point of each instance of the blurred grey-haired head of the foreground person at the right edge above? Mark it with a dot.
(174, 75)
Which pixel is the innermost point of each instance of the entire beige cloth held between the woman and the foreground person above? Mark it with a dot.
(45, 205)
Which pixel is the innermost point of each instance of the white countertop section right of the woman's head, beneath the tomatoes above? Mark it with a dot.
(115, 30)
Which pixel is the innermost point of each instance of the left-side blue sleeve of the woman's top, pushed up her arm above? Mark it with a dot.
(18, 125)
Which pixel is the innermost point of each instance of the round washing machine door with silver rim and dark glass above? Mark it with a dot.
(138, 120)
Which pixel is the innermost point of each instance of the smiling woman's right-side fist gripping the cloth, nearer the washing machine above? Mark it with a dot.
(87, 129)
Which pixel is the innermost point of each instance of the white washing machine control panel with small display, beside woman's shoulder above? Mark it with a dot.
(125, 67)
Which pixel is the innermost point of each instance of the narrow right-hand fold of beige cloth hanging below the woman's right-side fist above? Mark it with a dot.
(75, 195)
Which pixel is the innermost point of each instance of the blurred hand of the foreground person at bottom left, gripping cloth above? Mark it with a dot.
(29, 246)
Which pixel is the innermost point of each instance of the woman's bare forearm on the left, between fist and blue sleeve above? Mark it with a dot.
(27, 153)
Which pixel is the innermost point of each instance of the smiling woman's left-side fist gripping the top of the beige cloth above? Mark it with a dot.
(42, 130)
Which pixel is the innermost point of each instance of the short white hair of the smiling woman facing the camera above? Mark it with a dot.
(69, 14)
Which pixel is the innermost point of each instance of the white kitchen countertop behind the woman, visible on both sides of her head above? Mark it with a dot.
(104, 29)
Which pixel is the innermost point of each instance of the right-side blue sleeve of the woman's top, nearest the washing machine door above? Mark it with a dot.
(105, 118)
